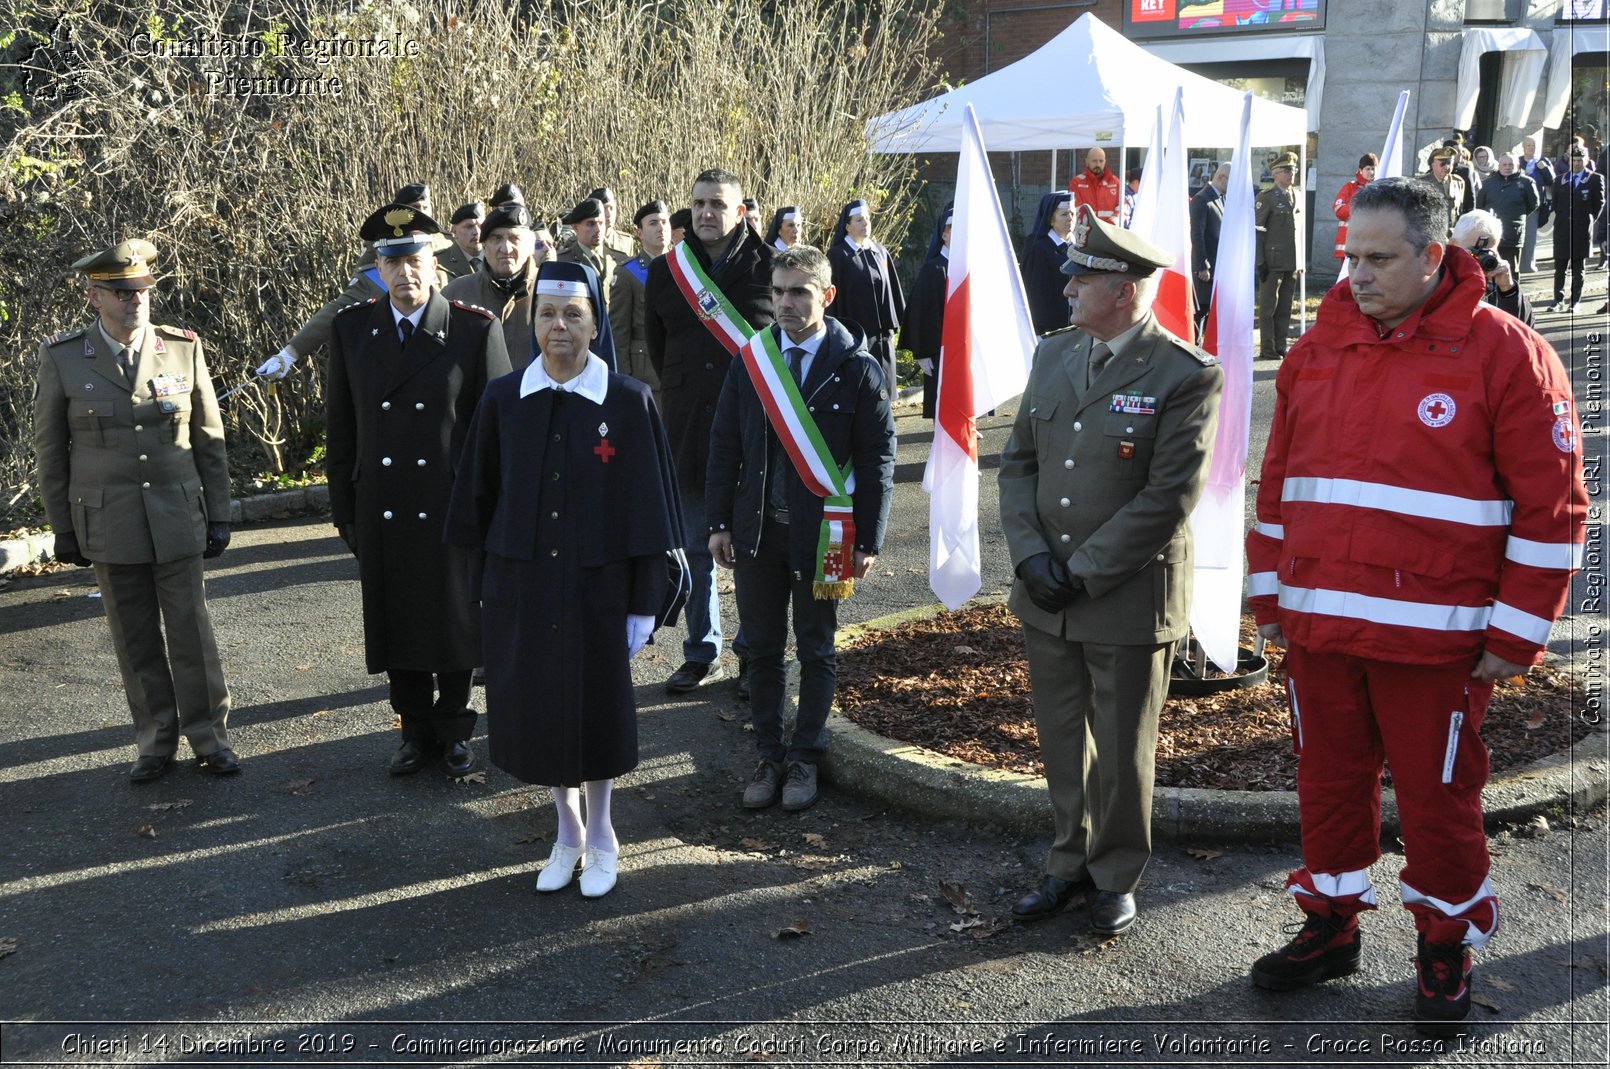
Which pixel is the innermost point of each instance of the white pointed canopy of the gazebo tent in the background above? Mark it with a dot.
(1088, 86)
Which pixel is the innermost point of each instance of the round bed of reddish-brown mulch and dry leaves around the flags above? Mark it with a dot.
(959, 685)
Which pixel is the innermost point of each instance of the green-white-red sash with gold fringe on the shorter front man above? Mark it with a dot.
(803, 440)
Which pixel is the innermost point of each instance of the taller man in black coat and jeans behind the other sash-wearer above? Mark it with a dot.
(700, 299)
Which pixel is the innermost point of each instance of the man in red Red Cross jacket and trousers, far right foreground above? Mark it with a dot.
(1419, 519)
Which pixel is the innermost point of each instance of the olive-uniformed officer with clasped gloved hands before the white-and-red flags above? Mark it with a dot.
(1104, 468)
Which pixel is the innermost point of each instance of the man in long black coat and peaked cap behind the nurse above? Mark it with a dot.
(407, 374)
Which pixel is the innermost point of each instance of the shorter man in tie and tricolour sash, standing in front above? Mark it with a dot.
(803, 464)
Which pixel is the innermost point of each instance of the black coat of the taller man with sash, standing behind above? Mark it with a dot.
(690, 361)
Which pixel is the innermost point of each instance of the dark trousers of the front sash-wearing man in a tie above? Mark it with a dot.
(766, 588)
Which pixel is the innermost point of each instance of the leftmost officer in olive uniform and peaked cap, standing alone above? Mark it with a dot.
(130, 453)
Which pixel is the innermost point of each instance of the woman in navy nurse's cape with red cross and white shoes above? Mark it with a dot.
(569, 492)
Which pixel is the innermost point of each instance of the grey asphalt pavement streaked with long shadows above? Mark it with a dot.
(316, 910)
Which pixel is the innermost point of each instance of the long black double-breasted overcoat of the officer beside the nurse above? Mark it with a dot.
(398, 418)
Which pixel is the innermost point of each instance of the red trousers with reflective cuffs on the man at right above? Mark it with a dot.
(1348, 717)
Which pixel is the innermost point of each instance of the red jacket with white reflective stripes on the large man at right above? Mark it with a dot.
(1422, 495)
